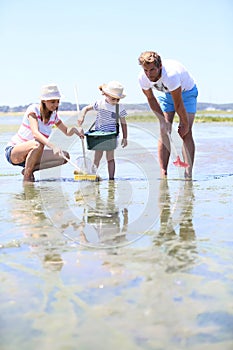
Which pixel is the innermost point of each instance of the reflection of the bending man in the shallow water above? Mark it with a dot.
(178, 245)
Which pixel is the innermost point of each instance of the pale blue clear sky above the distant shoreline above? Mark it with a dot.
(86, 43)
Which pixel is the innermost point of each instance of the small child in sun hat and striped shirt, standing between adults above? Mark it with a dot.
(106, 120)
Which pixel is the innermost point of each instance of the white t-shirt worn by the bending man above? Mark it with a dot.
(174, 75)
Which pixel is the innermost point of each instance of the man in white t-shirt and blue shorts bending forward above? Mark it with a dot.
(178, 93)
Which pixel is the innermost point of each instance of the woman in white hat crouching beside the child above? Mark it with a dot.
(27, 147)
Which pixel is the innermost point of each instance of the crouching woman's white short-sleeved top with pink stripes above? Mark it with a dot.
(25, 134)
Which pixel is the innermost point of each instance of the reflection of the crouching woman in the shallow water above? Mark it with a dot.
(28, 213)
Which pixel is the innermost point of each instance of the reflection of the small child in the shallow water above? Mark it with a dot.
(103, 222)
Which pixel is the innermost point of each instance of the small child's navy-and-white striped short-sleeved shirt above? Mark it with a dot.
(106, 115)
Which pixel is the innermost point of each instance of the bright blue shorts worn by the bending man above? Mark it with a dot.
(189, 99)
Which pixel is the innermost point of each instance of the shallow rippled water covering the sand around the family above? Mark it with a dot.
(139, 263)
